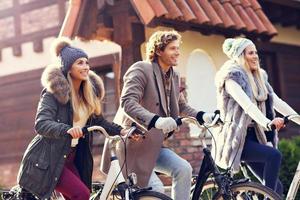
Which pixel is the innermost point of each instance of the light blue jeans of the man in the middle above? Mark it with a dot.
(180, 170)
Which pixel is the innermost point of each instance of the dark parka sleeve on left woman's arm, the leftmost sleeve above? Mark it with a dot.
(45, 121)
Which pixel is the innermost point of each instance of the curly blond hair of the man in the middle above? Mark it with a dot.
(158, 41)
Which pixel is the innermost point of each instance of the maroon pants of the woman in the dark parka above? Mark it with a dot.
(70, 184)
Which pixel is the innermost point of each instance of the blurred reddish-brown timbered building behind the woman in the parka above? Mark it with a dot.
(27, 28)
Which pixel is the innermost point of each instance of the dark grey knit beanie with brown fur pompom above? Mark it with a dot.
(67, 53)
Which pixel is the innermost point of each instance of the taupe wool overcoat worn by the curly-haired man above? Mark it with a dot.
(143, 97)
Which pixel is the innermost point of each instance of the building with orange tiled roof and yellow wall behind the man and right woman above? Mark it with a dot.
(273, 25)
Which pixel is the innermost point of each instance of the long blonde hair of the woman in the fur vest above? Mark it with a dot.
(253, 74)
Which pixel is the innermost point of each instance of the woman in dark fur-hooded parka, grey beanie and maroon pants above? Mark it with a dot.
(59, 157)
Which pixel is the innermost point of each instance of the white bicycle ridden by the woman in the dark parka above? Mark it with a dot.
(115, 186)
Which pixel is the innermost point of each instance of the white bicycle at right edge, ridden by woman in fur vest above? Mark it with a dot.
(294, 186)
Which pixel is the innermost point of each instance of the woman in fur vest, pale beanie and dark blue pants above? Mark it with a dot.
(247, 102)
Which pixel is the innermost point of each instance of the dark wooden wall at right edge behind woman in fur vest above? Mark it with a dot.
(282, 63)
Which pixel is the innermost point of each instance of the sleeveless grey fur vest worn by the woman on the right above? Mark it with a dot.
(231, 137)
